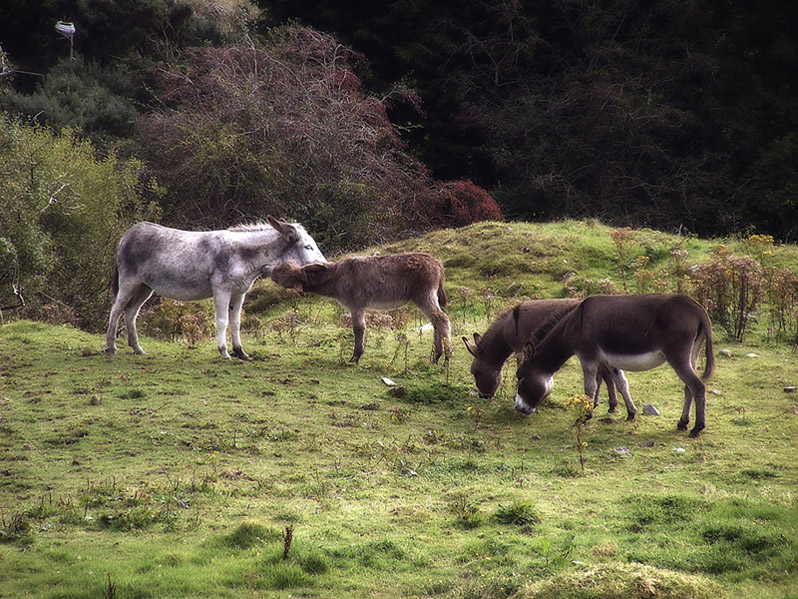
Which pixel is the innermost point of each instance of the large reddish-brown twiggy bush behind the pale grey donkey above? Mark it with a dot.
(284, 127)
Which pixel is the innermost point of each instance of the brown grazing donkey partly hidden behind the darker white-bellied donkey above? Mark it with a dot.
(508, 334)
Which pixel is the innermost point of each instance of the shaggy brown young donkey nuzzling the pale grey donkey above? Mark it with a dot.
(376, 282)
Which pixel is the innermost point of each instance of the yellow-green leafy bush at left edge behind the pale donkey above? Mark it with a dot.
(62, 211)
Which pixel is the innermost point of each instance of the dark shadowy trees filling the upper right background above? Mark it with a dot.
(668, 114)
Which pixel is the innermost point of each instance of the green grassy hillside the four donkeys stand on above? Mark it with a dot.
(175, 474)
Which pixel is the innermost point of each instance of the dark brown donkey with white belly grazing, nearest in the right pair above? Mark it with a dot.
(636, 332)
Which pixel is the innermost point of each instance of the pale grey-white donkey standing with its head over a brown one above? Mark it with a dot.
(188, 265)
